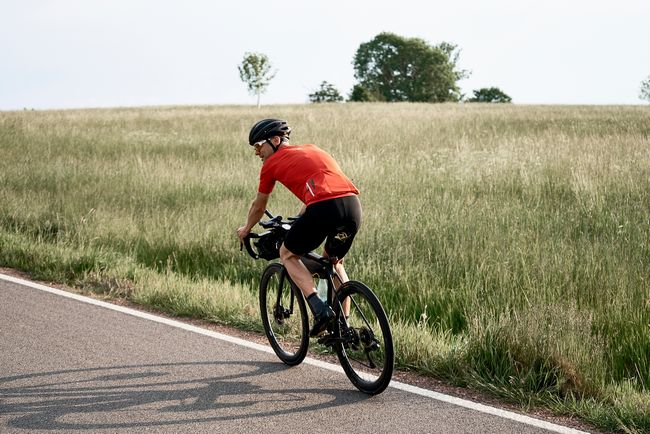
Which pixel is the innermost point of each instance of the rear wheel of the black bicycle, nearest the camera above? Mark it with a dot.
(366, 353)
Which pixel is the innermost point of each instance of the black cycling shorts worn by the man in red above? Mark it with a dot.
(335, 220)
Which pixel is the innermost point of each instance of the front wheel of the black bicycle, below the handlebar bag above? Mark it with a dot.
(284, 315)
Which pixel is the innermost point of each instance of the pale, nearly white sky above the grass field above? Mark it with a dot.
(58, 54)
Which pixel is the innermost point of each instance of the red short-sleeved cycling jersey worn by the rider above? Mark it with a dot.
(308, 172)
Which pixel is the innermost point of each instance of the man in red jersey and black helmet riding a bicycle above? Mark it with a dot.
(331, 209)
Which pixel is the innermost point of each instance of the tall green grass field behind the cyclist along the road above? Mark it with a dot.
(509, 244)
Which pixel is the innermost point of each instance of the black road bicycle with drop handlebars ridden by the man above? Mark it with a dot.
(360, 333)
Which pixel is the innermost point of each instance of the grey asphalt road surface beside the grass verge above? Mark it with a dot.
(69, 365)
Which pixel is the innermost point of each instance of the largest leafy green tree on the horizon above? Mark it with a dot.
(394, 68)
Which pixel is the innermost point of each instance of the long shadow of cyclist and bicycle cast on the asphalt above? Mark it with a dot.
(136, 396)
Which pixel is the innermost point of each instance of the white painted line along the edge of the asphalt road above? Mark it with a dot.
(329, 366)
